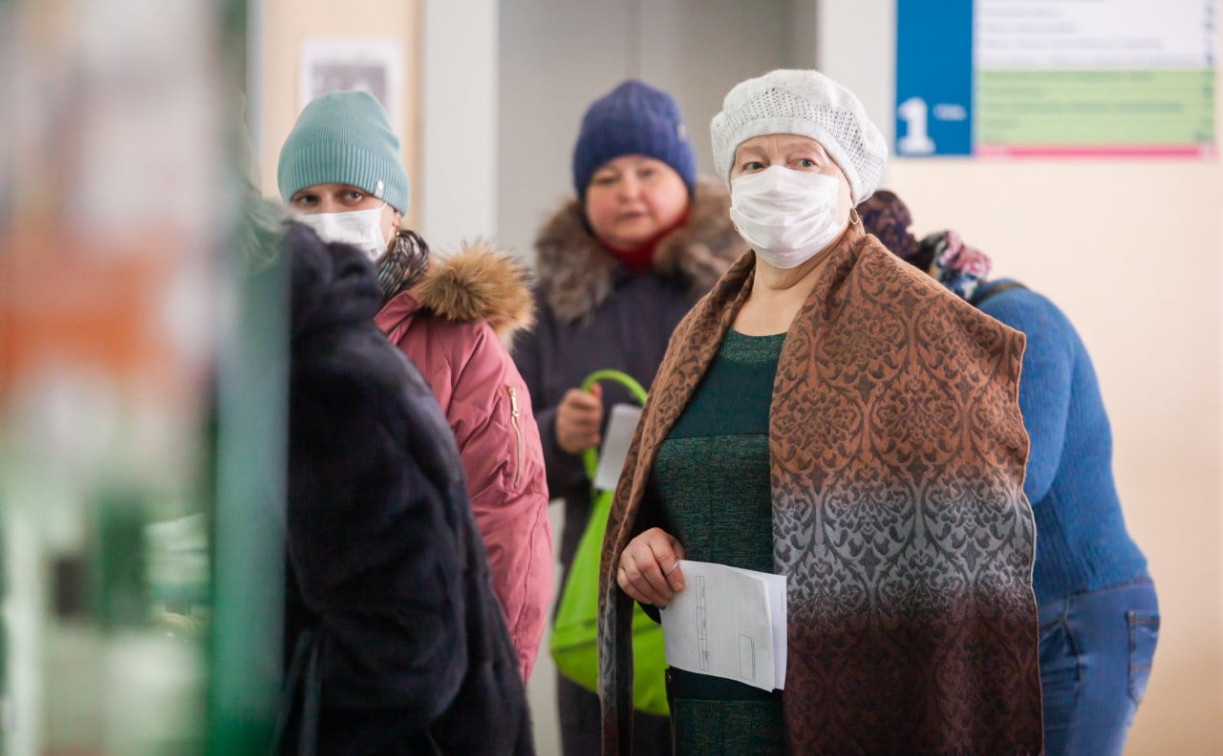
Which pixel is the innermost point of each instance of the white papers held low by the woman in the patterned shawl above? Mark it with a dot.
(730, 623)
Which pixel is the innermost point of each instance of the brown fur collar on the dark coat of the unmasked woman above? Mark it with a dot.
(578, 275)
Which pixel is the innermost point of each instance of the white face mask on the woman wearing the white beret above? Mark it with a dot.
(787, 216)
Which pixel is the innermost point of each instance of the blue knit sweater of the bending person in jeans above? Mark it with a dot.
(1082, 543)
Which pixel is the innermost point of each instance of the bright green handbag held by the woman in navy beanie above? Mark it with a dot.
(575, 632)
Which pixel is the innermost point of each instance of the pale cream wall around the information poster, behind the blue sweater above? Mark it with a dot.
(1133, 253)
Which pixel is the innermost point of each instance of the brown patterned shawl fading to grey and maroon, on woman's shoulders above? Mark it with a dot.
(897, 459)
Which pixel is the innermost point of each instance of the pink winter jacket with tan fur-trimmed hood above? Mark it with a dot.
(454, 326)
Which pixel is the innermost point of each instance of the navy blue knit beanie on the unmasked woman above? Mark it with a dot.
(634, 119)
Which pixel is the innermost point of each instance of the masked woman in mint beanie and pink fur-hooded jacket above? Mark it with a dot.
(342, 172)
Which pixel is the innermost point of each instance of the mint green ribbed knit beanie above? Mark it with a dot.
(344, 138)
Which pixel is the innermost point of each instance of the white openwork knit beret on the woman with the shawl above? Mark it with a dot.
(810, 105)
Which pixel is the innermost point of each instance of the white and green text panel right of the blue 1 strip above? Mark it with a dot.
(1104, 78)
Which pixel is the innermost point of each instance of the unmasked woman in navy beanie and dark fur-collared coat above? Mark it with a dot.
(618, 267)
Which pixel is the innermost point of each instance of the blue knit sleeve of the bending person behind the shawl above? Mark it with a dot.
(1044, 384)
